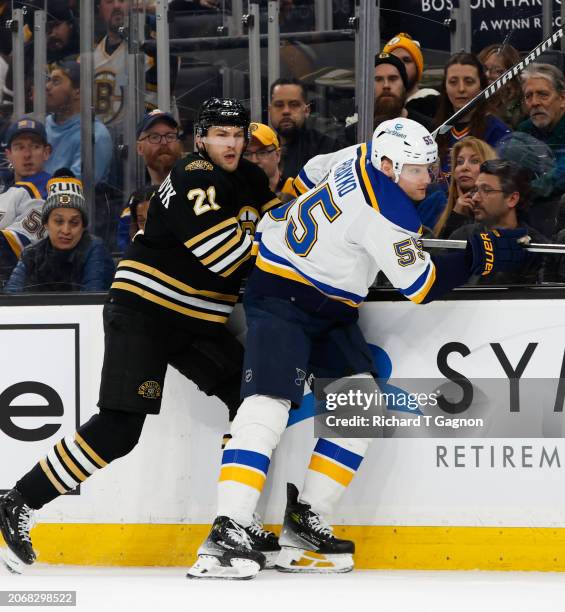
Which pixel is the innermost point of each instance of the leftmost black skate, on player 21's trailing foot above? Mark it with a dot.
(16, 519)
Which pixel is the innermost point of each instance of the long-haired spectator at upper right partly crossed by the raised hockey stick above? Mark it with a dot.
(506, 104)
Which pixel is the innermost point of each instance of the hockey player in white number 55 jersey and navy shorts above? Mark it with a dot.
(316, 258)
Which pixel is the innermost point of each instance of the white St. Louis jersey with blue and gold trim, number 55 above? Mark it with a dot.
(337, 236)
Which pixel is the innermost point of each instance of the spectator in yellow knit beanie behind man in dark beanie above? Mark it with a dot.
(420, 100)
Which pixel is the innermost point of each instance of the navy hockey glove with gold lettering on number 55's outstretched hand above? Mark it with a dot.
(499, 250)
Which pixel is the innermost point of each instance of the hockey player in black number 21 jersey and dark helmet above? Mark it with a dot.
(170, 298)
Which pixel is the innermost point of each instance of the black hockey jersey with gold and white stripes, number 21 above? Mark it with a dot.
(188, 263)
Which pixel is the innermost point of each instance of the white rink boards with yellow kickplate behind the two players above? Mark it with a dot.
(490, 497)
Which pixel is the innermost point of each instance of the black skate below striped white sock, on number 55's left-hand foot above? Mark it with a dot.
(227, 553)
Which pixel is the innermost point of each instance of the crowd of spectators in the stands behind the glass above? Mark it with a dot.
(500, 165)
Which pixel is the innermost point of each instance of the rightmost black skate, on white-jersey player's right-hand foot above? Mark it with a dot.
(307, 542)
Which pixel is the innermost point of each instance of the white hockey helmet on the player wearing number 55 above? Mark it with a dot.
(403, 141)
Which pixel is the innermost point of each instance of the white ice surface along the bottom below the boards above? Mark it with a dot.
(167, 589)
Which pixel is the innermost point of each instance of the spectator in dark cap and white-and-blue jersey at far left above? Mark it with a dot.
(20, 206)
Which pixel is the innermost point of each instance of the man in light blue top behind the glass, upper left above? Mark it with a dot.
(63, 124)
